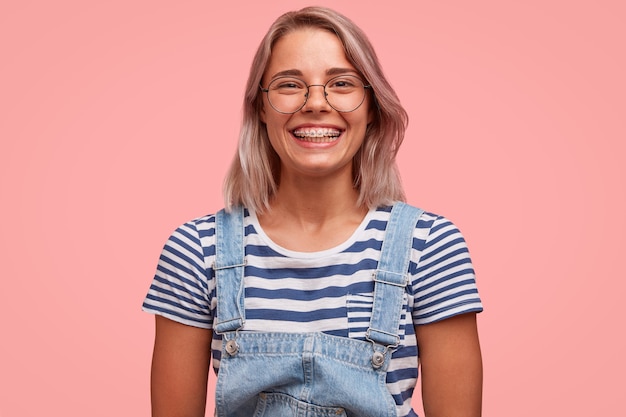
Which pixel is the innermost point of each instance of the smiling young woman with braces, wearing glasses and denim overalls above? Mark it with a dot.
(316, 292)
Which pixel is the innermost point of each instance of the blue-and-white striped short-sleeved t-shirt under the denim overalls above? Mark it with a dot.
(330, 291)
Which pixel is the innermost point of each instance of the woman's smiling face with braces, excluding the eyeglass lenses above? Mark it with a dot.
(316, 140)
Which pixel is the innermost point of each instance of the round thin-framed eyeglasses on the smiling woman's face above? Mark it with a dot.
(287, 95)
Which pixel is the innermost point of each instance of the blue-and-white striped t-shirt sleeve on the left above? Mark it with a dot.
(180, 288)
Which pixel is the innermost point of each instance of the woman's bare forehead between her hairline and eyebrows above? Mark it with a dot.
(309, 51)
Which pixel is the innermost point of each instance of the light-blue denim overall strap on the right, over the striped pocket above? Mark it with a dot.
(391, 276)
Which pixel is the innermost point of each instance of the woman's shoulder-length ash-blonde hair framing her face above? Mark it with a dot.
(253, 176)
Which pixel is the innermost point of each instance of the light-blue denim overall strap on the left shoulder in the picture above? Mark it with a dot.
(229, 270)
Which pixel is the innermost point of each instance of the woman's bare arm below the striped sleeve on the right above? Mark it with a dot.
(451, 367)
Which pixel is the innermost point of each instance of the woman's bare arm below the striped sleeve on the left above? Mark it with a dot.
(180, 369)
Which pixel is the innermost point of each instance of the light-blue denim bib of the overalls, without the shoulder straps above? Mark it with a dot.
(301, 374)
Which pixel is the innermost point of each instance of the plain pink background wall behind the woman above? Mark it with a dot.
(118, 120)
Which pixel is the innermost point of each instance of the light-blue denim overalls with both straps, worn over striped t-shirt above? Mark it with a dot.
(277, 374)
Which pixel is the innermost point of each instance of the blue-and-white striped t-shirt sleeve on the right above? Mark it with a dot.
(443, 279)
